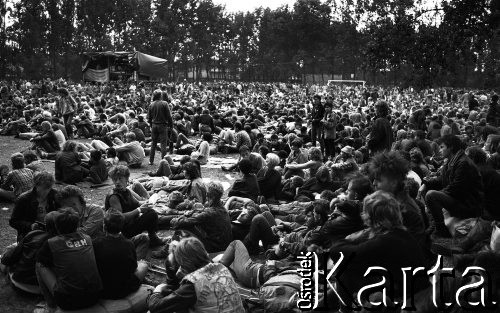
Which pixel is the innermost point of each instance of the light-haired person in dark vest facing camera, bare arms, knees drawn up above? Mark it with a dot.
(138, 216)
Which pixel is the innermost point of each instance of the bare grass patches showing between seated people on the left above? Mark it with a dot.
(15, 302)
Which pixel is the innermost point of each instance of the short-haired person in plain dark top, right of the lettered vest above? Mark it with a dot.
(116, 259)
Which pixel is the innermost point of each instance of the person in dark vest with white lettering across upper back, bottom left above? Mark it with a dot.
(66, 269)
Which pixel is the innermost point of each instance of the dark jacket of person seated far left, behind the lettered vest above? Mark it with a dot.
(26, 209)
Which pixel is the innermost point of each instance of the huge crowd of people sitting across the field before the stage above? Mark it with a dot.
(384, 175)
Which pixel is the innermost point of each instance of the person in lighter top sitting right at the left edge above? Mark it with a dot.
(17, 181)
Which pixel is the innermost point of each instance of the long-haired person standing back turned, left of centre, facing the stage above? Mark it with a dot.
(160, 119)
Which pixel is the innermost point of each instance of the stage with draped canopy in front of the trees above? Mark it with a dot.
(107, 66)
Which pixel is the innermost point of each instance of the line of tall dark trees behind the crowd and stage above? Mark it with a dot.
(453, 43)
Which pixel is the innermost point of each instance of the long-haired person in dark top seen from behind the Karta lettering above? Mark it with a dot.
(386, 244)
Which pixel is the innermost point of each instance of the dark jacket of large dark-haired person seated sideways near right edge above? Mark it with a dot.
(460, 179)
